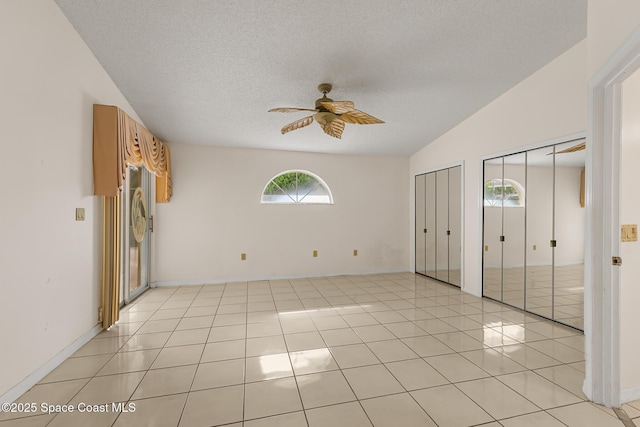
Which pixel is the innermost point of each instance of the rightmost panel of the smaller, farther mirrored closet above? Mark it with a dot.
(455, 225)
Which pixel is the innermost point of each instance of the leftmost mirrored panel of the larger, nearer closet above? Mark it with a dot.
(492, 229)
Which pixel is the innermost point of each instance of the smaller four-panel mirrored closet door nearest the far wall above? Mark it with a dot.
(438, 225)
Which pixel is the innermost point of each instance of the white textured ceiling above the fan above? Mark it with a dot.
(206, 72)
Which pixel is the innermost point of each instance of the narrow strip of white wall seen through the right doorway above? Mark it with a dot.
(630, 214)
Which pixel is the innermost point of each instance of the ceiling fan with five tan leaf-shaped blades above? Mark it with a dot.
(331, 115)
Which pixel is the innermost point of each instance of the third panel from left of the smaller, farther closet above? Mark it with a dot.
(442, 225)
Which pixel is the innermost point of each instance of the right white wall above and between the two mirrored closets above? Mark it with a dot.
(549, 104)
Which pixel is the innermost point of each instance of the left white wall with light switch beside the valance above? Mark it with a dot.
(49, 263)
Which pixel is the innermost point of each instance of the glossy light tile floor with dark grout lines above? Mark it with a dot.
(384, 350)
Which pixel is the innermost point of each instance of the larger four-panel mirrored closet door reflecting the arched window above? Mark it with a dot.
(533, 231)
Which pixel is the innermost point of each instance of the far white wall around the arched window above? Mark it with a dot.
(215, 215)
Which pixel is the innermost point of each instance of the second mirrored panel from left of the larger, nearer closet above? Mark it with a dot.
(513, 229)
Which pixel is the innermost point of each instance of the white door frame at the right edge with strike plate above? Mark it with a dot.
(602, 281)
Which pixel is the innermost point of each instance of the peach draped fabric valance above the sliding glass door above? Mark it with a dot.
(120, 141)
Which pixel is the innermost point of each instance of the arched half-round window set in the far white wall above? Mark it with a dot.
(295, 187)
